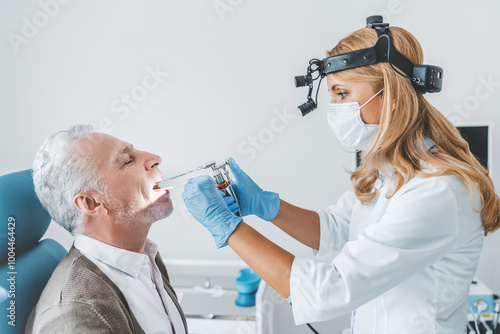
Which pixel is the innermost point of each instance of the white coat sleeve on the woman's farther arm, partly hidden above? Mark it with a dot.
(334, 224)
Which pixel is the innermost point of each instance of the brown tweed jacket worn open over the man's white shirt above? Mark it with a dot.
(80, 298)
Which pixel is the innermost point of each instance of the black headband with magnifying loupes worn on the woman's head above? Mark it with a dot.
(424, 78)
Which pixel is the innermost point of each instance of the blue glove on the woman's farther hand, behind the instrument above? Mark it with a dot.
(251, 198)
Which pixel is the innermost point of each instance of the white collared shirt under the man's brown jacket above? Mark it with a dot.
(139, 279)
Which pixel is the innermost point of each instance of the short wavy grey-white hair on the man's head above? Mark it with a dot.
(59, 174)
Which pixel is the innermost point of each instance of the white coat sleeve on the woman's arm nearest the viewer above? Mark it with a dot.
(419, 228)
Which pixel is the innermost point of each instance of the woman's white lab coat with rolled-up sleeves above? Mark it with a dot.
(405, 264)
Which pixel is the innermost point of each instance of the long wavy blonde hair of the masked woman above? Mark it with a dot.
(406, 118)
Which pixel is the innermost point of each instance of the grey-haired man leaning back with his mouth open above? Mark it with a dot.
(101, 189)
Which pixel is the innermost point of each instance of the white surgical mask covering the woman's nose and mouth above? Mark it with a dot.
(345, 121)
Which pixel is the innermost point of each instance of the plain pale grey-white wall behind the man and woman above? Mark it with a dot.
(203, 80)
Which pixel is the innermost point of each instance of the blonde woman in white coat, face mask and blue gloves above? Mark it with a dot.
(409, 234)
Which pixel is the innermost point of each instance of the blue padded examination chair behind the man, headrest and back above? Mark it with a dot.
(26, 263)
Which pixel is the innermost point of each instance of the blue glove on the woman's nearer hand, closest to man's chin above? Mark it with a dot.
(204, 201)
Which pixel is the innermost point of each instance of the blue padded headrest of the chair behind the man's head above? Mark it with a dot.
(20, 212)
